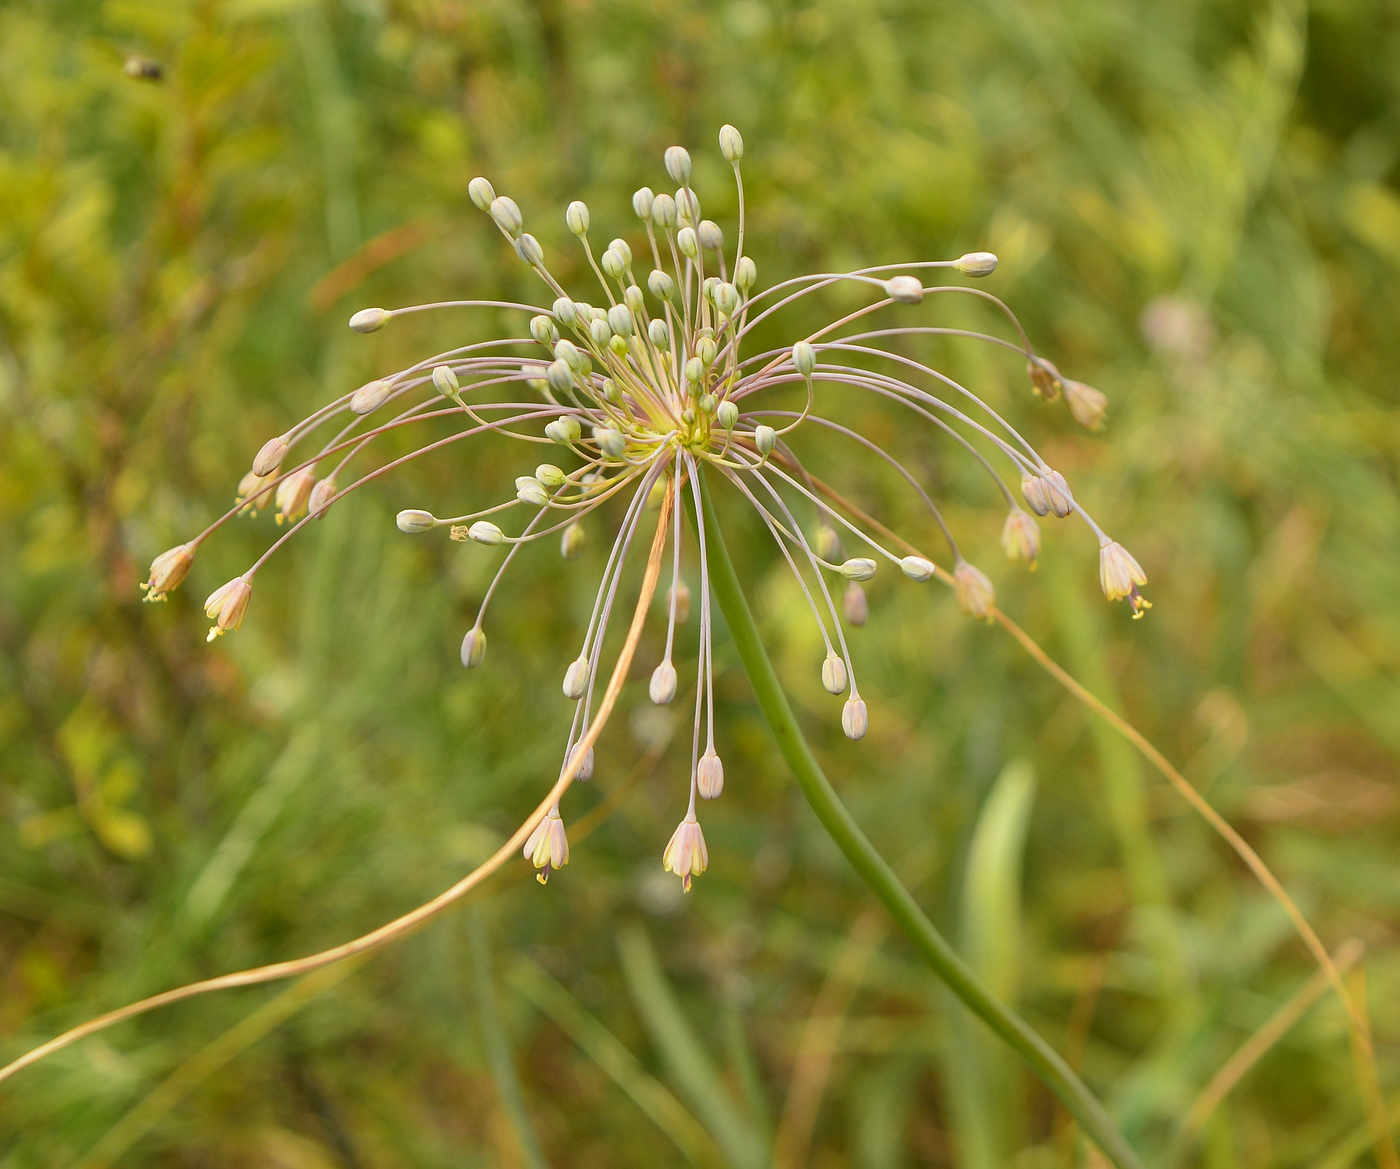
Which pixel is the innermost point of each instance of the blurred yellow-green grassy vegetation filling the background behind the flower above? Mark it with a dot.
(1196, 209)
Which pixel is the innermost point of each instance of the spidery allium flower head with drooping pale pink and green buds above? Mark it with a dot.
(638, 393)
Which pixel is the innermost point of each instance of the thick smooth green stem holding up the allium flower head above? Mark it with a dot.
(1058, 1076)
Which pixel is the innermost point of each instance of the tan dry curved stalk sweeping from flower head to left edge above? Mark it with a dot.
(412, 920)
